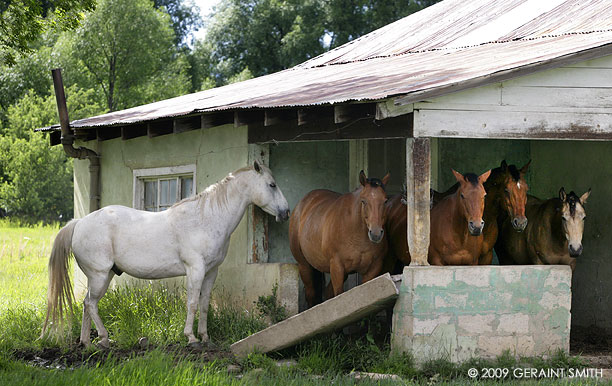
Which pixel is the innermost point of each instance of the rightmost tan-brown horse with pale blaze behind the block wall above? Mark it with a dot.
(553, 235)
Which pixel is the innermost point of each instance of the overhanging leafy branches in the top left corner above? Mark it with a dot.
(23, 21)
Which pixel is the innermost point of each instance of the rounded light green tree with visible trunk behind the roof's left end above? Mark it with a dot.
(127, 51)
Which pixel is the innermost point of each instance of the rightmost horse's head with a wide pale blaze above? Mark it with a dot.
(573, 215)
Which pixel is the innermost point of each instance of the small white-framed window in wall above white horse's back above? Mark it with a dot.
(158, 189)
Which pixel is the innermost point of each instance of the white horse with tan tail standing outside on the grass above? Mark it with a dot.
(189, 239)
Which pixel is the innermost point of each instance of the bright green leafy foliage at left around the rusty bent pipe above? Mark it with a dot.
(35, 180)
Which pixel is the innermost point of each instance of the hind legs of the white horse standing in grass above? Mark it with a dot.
(97, 288)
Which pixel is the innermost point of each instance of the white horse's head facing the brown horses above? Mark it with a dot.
(267, 195)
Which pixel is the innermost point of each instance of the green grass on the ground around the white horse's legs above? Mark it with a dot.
(158, 314)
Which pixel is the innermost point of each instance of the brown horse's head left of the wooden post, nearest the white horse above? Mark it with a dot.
(373, 198)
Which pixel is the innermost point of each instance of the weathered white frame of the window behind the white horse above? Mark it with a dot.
(168, 172)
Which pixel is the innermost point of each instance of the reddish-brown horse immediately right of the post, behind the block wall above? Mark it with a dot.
(456, 223)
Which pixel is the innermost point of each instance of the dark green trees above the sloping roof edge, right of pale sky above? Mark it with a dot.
(266, 36)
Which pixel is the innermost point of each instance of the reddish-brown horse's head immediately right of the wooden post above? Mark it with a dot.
(471, 194)
